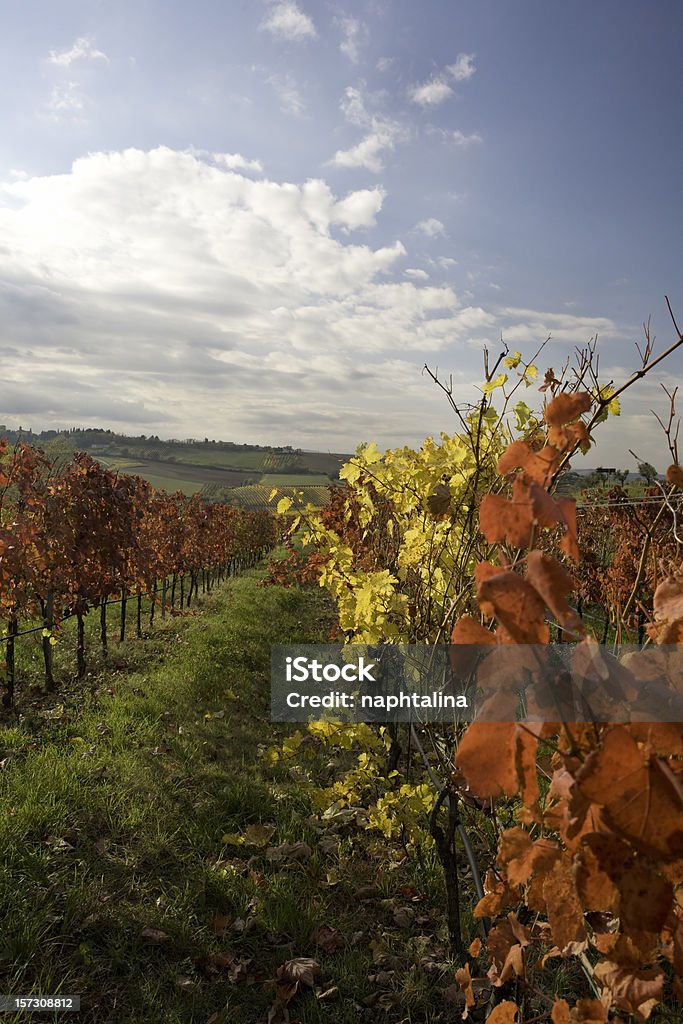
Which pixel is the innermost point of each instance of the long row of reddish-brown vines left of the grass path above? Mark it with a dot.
(84, 538)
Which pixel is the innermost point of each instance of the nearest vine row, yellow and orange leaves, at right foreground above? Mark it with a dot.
(560, 841)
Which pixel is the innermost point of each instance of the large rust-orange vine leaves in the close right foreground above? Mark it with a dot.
(594, 869)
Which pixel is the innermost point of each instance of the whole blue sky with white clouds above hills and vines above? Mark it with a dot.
(258, 222)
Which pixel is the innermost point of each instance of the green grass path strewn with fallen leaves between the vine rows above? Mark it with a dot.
(116, 883)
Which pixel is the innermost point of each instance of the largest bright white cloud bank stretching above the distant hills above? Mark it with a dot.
(224, 305)
